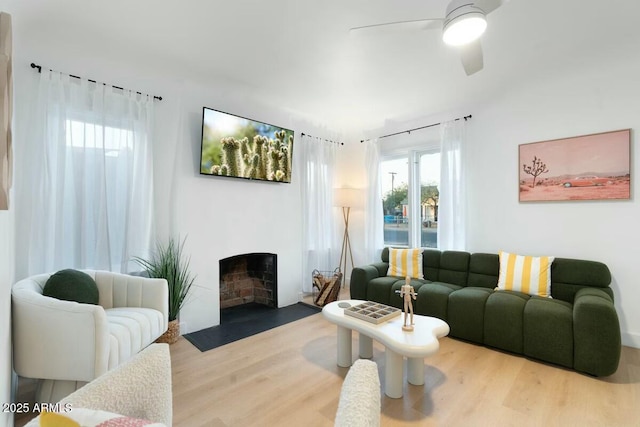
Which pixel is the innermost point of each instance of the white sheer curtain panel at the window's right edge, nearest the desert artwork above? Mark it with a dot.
(452, 205)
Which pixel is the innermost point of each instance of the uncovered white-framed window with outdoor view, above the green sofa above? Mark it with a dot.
(410, 195)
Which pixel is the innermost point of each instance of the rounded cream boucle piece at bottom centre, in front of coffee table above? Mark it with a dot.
(359, 404)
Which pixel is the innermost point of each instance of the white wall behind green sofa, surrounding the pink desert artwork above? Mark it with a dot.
(602, 96)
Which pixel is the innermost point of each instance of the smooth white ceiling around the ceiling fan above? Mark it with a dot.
(300, 55)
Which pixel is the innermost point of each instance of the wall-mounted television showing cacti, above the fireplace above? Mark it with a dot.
(238, 147)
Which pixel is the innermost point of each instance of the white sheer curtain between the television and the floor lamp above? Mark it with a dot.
(319, 246)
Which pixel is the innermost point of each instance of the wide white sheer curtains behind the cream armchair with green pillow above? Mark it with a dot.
(84, 185)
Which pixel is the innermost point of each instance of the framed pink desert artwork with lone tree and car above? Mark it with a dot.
(588, 167)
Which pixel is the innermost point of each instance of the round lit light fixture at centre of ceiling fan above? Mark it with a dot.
(463, 24)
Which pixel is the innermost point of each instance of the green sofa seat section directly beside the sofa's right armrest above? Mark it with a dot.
(548, 330)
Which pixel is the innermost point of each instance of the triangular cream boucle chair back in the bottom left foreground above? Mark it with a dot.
(139, 388)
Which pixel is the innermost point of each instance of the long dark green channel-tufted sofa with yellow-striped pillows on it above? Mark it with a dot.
(577, 328)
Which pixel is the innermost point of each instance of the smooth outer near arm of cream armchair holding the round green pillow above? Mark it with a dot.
(55, 339)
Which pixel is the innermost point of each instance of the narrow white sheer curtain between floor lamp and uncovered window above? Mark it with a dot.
(373, 215)
